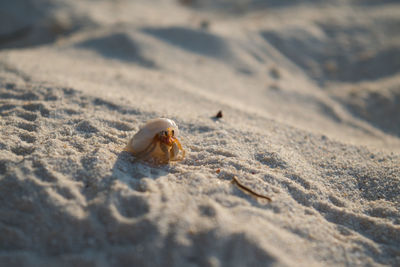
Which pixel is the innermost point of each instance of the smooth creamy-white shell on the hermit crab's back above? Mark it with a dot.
(142, 139)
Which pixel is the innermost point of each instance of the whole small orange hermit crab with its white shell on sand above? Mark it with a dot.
(156, 141)
